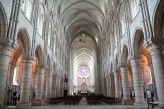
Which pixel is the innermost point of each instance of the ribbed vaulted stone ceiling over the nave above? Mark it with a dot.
(82, 17)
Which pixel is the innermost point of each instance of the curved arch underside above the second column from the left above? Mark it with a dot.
(23, 37)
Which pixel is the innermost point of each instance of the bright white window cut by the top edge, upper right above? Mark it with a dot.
(134, 8)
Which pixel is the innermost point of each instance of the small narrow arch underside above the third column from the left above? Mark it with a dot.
(39, 55)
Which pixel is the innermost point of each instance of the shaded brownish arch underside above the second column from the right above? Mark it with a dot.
(138, 42)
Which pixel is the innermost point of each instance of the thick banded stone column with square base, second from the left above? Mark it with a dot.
(26, 80)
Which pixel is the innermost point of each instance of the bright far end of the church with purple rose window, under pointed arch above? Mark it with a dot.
(83, 59)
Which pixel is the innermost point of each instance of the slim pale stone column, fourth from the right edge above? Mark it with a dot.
(117, 84)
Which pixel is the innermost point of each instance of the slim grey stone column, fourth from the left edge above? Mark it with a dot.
(49, 84)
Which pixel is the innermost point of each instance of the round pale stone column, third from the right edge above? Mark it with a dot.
(125, 83)
